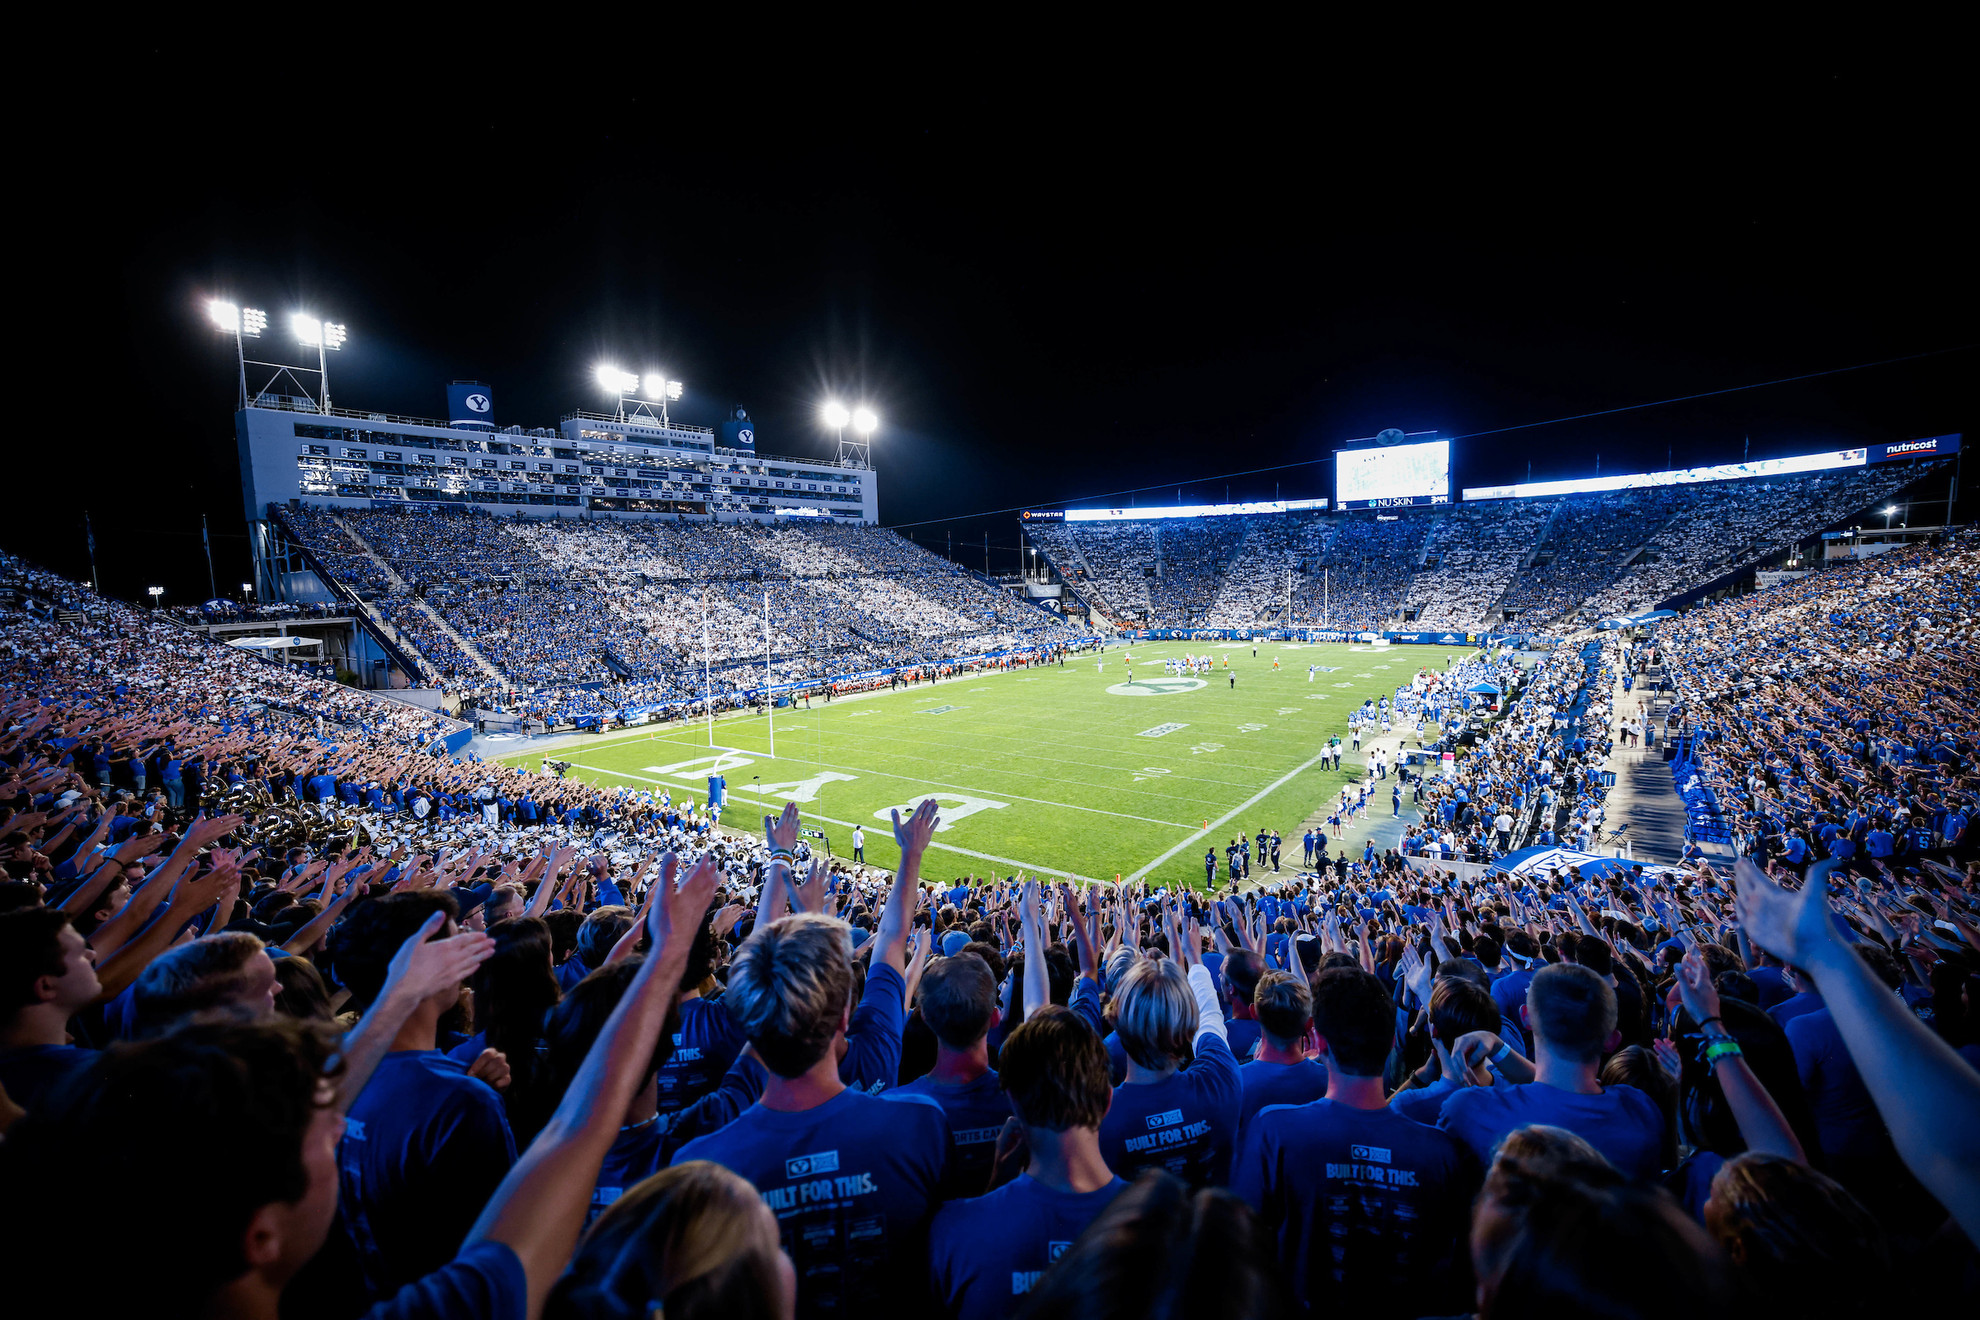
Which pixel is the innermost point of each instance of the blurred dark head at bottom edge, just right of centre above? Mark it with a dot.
(1161, 1252)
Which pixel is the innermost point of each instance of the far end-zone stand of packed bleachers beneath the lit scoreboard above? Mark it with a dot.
(1535, 563)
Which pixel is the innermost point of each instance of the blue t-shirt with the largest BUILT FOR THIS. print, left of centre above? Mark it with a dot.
(852, 1184)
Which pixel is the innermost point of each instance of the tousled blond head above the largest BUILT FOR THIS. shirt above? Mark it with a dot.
(791, 990)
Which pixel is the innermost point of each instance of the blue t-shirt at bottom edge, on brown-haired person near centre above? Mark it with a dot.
(987, 1254)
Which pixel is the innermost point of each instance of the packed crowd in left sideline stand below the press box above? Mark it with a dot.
(569, 611)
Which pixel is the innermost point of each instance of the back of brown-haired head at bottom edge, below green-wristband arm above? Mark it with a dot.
(1799, 1238)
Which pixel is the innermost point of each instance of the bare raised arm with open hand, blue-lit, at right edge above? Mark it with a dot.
(1926, 1093)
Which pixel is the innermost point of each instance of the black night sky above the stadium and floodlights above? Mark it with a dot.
(1044, 302)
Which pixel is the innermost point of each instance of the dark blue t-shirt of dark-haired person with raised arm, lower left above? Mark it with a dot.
(425, 1149)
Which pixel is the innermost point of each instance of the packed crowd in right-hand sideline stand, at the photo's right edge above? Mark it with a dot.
(1836, 715)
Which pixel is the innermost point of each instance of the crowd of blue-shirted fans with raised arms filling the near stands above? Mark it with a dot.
(336, 1026)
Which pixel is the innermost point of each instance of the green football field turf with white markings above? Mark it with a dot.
(1042, 771)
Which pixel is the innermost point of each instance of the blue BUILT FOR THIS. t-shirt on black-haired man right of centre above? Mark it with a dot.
(1369, 1210)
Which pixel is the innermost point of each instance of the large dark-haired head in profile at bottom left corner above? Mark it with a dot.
(199, 1131)
